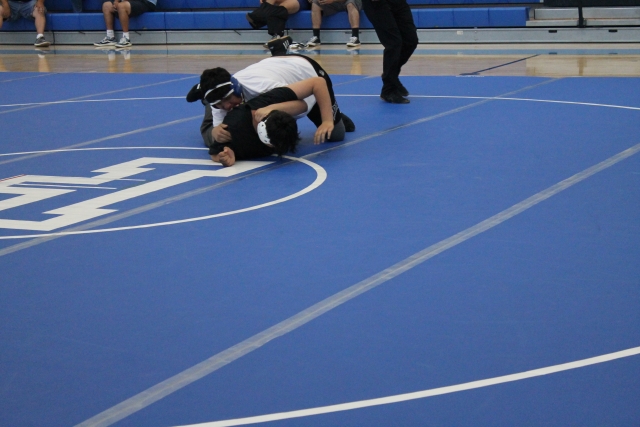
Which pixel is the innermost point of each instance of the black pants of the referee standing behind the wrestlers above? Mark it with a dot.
(397, 32)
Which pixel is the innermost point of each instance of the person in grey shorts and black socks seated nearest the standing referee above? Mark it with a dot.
(320, 8)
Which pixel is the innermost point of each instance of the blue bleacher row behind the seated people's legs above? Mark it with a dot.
(174, 15)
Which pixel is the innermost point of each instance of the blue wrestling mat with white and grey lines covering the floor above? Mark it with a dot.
(468, 259)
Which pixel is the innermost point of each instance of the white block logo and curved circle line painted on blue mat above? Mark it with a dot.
(29, 189)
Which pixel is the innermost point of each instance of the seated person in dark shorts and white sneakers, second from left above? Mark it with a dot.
(123, 10)
